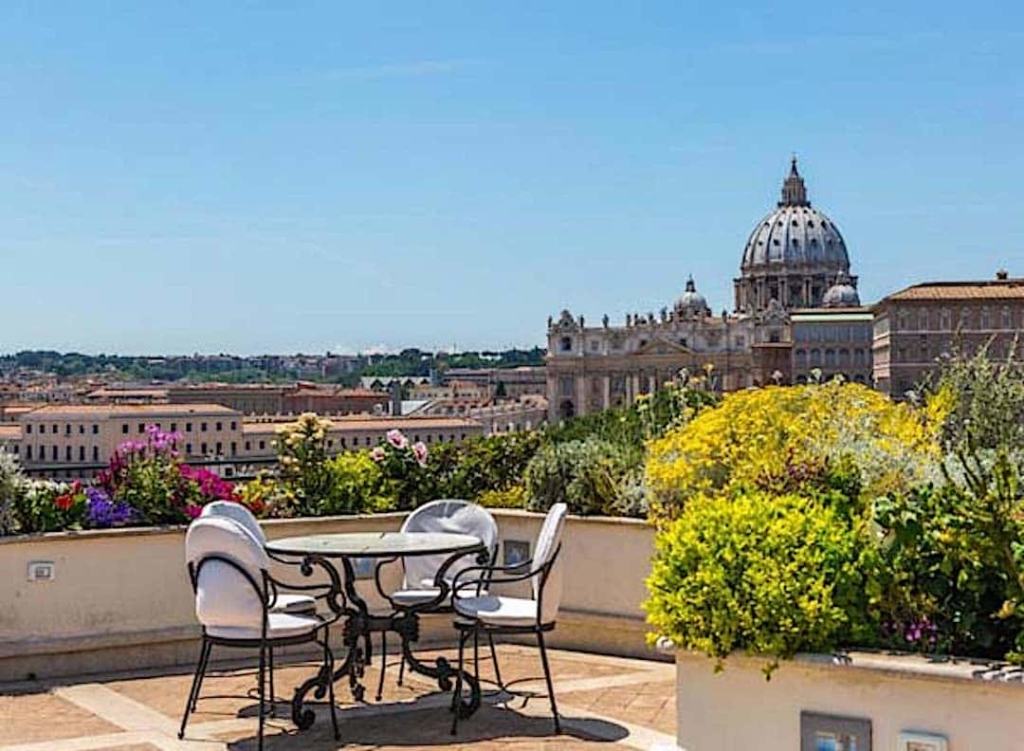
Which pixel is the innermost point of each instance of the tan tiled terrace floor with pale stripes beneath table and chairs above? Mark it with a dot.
(605, 702)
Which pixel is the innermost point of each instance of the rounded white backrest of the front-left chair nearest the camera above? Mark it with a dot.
(225, 597)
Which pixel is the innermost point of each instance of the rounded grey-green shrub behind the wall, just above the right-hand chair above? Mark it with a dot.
(586, 475)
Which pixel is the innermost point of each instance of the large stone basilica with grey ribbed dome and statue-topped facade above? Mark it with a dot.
(795, 266)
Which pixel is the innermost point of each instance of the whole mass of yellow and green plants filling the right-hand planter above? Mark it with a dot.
(824, 517)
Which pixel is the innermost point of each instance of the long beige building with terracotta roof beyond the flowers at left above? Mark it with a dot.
(75, 442)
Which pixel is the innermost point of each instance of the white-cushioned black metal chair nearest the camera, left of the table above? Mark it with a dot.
(230, 573)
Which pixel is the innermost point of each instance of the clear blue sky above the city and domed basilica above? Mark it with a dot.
(248, 178)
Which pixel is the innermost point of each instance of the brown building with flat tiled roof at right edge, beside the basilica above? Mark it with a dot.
(916, 327)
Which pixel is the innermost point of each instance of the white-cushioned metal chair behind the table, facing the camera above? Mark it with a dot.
(419, 572)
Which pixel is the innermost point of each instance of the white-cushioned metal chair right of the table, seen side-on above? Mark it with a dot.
(492, 614)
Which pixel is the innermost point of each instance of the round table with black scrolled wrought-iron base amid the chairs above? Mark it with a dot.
(331, 553)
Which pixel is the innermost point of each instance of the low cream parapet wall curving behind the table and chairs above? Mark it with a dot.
(121, 600)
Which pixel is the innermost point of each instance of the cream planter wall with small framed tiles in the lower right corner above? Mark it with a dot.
(970, 705)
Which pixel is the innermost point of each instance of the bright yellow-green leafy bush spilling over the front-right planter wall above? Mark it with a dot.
(766, 574)
